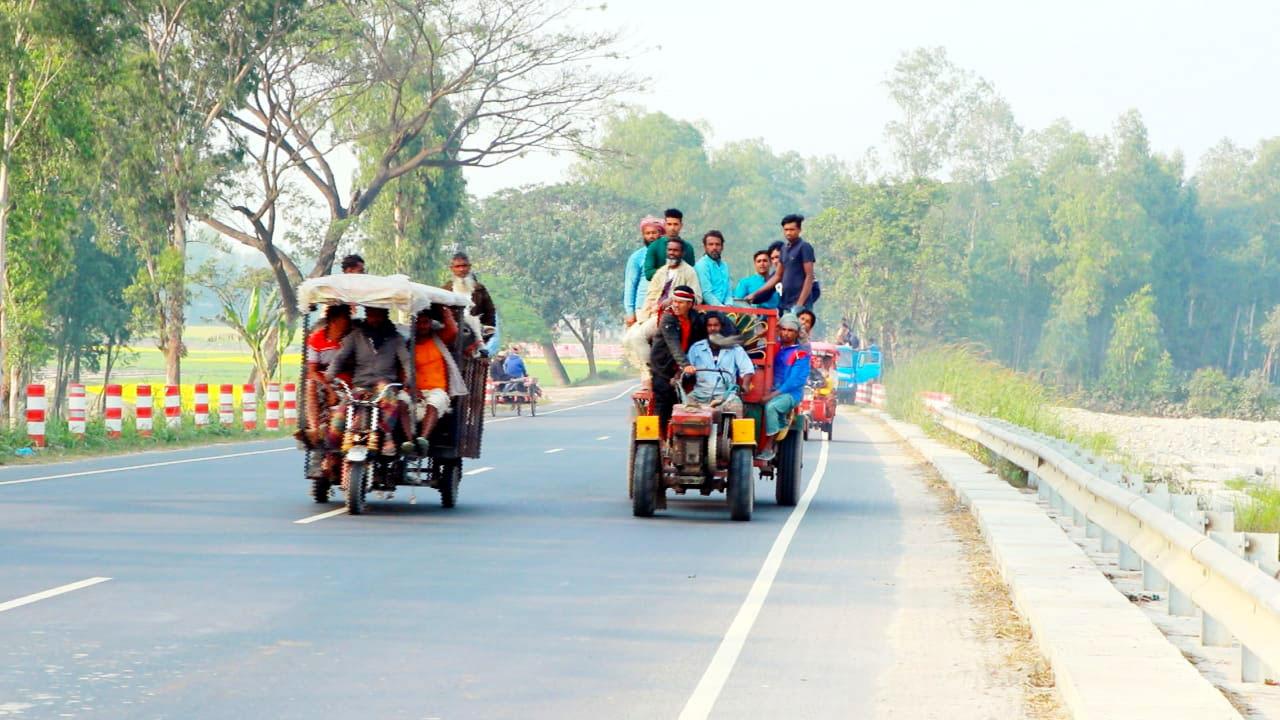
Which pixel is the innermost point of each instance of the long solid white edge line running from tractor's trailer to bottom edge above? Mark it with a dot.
(712, 682)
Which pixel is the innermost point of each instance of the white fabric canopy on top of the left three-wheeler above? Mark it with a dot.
(394, 293)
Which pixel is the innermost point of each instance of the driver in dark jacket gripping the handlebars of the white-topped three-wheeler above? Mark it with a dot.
(376, 356)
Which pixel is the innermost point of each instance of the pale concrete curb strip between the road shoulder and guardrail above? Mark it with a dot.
(1109, 660)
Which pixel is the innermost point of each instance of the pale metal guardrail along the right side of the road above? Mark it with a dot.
(1181, 549)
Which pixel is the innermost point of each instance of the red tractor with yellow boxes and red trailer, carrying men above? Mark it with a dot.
(708, 450)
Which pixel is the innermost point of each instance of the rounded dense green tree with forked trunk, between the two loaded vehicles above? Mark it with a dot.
(552, 244)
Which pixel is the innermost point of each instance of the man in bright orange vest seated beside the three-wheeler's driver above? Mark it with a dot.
(436, 372)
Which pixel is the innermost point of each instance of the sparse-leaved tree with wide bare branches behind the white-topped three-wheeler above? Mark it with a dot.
(415, 85)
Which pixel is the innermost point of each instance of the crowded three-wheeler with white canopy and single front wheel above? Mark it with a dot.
(356, 464)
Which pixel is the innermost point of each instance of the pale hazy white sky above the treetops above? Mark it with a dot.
(807, 75)
